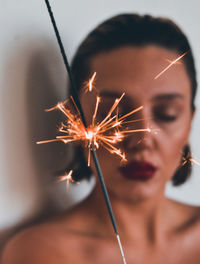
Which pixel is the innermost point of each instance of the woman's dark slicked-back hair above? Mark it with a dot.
(133, 30)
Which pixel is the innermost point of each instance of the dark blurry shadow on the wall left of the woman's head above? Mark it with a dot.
(46, 86)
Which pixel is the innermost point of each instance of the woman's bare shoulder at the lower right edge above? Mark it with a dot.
(184, 230)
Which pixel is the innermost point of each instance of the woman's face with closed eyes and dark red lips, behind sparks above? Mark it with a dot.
(152, 157)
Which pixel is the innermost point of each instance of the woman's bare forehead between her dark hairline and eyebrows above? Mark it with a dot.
(134, 70)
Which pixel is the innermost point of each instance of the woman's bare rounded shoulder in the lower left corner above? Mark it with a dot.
(39, 244)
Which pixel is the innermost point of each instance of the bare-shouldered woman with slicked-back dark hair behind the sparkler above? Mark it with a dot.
(128, 52)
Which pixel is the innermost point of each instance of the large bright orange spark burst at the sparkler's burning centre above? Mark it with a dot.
(106, 133)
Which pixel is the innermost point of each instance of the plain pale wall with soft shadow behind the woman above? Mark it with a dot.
(32, 78)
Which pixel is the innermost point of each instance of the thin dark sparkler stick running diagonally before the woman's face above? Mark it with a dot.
(76, 98)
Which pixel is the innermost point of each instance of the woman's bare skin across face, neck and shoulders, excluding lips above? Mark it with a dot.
(153, 229)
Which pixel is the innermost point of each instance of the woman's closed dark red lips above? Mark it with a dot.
(138, 170)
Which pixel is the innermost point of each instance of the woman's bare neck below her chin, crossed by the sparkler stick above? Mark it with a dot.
(142, 220)
